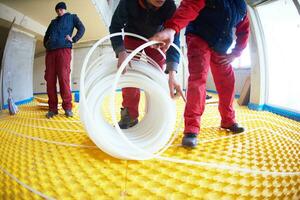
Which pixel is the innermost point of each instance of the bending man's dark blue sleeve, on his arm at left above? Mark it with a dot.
(118, 22)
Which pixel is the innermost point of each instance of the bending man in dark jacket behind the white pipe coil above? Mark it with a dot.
(145, 18)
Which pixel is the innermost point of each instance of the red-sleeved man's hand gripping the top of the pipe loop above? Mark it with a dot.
(166, 37)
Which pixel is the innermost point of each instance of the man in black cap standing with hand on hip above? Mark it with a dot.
(58, 42)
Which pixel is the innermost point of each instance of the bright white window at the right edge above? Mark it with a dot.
(281, 26)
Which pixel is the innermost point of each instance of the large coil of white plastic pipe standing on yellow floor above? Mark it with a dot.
(153, 134)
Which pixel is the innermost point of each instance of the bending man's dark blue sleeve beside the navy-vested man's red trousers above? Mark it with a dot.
(173, 56)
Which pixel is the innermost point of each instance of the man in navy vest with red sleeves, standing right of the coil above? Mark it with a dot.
(209, 34)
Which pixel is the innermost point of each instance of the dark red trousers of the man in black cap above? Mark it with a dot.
(58, 66)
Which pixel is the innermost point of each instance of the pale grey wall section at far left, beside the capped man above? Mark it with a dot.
(18, 65)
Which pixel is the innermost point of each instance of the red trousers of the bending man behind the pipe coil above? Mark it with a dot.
(131, 96)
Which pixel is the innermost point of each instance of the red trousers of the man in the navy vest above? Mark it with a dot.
(200, 57)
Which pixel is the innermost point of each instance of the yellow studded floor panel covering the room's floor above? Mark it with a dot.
(55, 159)
